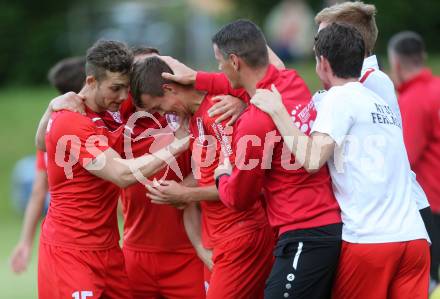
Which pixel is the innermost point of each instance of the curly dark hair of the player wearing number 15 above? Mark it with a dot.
(106, 55)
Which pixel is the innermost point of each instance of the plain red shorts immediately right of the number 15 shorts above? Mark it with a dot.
(164, 275)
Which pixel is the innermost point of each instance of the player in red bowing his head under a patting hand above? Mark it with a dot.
(238, 272)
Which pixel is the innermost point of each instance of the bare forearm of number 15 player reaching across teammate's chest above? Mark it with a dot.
(123, 172)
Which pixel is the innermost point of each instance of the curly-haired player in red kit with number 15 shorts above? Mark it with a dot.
(79, 253)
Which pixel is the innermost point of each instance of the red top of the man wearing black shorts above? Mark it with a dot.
(295, 198)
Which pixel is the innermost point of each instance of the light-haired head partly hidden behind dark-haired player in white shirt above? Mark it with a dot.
(357, 14)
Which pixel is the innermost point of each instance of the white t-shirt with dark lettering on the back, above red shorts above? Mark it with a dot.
(369, 169)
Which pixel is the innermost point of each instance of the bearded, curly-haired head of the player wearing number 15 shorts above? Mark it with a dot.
(108, 69)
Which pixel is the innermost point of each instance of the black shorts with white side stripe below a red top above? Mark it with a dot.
(305, 263)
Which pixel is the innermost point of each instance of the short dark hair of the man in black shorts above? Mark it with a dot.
(244, 39)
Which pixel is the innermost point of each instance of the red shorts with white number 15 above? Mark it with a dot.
(81, 274)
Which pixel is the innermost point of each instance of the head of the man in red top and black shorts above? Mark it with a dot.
(239, 45)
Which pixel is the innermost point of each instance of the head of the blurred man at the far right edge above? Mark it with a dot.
(406, 53)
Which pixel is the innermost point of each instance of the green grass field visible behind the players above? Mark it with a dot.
(21, 108)
